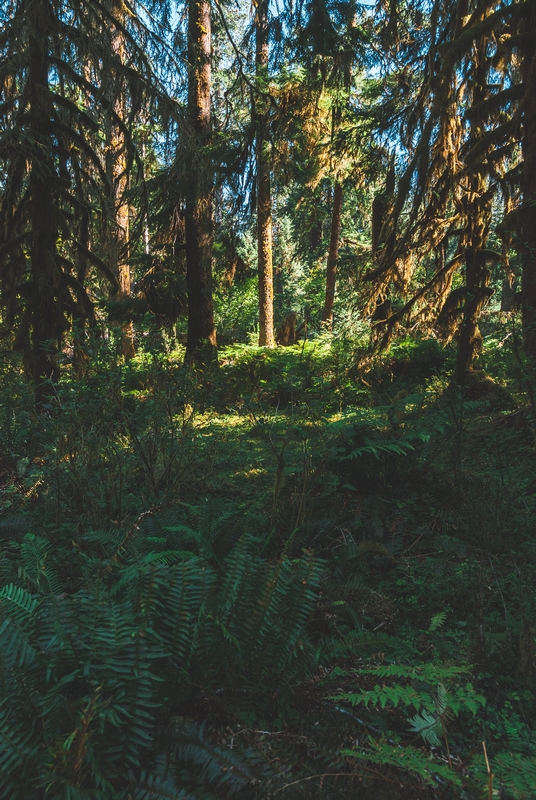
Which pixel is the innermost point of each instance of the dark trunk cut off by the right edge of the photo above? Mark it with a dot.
(527, 232)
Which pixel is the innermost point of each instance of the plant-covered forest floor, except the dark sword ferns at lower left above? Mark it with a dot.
(414, 499)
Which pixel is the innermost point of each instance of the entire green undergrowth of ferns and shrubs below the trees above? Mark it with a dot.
(217, 591)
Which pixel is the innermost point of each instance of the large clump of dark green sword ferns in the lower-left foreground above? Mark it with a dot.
(141, 633)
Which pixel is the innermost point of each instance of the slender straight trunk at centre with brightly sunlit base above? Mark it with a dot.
(264, 194)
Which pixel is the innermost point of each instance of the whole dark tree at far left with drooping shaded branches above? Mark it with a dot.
(55, 183)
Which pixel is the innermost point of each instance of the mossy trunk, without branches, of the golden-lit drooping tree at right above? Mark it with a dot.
(477, 212)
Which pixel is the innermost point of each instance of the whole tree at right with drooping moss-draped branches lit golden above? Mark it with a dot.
(460, 157)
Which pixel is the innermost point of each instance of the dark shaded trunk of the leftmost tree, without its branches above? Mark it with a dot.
(47, 321)
